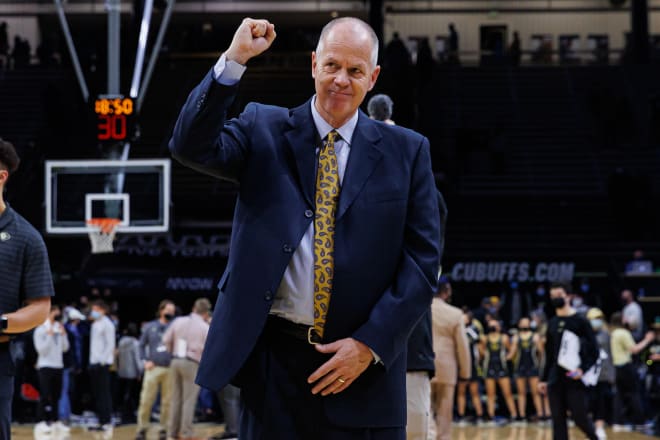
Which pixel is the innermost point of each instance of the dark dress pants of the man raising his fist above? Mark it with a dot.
(276, 400)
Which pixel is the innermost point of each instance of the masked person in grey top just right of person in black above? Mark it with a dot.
(601, 395)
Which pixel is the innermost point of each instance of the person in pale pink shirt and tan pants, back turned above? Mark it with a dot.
(185, 340)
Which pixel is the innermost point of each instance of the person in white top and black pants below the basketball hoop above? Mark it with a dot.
(101, 357)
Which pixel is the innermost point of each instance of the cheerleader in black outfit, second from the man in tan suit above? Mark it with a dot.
(495, 350)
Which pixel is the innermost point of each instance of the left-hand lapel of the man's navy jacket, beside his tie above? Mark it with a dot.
(302, 138)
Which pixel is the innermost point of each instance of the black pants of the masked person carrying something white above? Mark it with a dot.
(569, 395)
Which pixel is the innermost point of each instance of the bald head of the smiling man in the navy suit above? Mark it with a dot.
(343, 73)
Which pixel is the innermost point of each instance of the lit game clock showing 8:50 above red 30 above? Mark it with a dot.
(114, 118)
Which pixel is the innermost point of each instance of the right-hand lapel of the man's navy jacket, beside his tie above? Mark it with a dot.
(362, 161)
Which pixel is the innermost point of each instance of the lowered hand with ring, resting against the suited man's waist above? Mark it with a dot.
(351, 358)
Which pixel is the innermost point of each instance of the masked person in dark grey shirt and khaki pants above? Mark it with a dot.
(157, 361)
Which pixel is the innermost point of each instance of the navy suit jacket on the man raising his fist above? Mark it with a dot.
(386, 238)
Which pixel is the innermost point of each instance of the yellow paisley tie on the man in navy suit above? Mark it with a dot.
(327, 194)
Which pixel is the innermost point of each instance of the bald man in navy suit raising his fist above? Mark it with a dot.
(326, 196)
